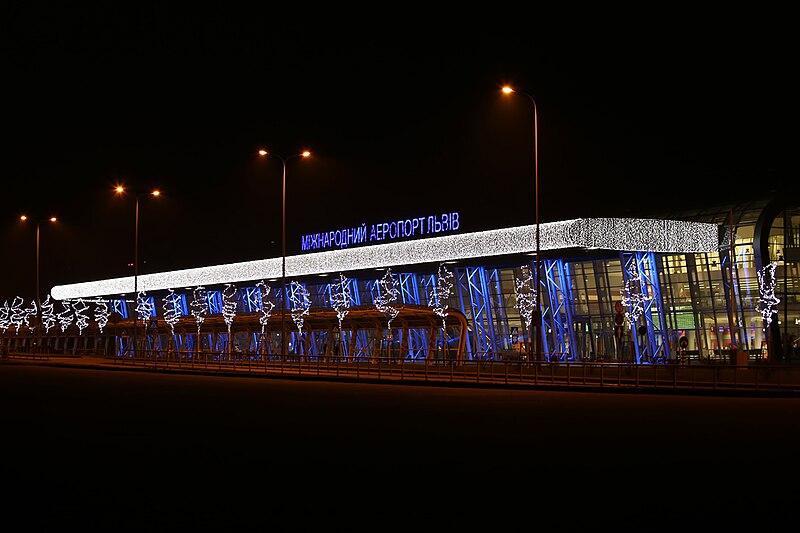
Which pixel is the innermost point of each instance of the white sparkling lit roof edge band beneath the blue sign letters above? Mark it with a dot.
(624, 234)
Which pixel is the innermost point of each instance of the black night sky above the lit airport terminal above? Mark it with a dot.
(638, 113)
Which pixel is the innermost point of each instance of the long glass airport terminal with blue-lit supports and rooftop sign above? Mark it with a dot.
(644, 290)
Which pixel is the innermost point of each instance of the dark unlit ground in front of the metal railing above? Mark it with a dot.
(118, 449)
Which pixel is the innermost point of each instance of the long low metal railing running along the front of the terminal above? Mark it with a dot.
(716, 377)
